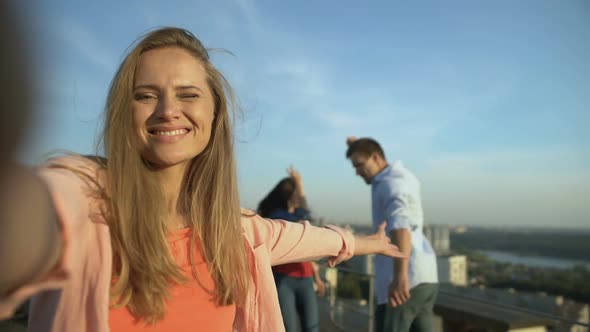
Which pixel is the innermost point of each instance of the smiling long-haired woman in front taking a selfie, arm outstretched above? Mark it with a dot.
(153, 234)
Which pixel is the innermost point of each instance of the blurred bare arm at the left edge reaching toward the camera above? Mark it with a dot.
(30, 241)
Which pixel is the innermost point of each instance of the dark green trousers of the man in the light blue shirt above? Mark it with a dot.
(414, 315)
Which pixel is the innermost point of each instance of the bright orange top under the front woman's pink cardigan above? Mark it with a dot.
(190, 307)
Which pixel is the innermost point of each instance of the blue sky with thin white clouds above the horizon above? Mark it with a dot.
(487, 101)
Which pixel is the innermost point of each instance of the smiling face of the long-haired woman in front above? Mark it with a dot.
(173, 107)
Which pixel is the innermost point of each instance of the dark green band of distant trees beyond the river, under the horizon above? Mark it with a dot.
(558, 245)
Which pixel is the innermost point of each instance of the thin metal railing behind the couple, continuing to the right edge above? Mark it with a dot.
(333, 296)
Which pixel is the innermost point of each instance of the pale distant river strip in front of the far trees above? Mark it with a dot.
(533, 261)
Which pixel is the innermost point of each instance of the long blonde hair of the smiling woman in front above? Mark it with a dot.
(143, 265)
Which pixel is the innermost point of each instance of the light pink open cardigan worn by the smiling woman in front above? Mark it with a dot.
(75, 295)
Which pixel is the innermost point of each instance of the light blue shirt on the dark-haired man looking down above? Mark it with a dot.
(396, 199)
